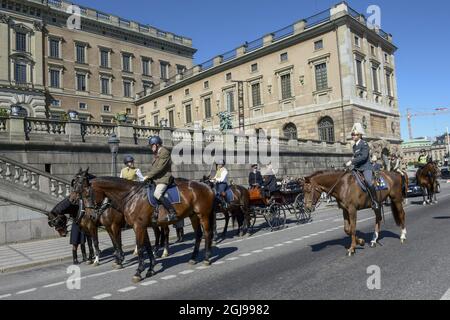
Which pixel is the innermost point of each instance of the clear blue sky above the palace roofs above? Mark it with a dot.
(421, 31)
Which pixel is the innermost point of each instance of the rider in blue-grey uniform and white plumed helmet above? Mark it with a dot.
(361, 161)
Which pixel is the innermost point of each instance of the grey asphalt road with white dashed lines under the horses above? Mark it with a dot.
(300, 262)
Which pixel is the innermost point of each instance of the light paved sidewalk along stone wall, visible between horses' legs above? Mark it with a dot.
(19, 256)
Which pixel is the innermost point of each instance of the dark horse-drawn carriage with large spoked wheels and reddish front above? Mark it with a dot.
(274, 206)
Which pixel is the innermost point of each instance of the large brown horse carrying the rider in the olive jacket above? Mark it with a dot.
(130, 198)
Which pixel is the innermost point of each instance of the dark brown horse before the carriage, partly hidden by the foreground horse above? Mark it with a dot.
(238, 209)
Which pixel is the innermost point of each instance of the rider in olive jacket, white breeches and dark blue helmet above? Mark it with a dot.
(161, 174)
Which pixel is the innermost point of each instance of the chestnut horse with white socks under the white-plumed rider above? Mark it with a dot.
(343, 186)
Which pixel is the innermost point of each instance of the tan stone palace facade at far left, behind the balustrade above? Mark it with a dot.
(48, 65)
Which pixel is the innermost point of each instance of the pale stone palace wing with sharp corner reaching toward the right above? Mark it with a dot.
(311, 80)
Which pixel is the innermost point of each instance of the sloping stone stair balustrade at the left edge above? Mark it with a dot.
(32, 178)
